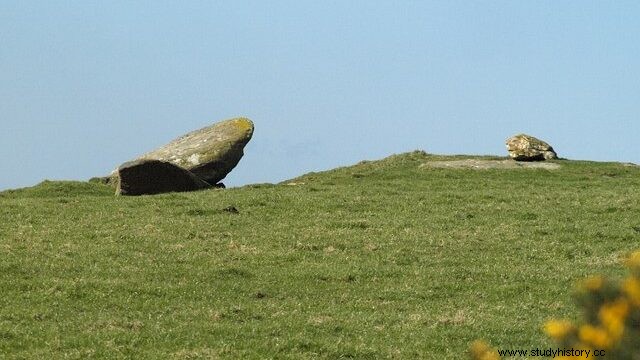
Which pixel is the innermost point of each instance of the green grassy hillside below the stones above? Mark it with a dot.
(384, 259)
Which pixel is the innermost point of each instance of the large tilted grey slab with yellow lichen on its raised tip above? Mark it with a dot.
(209, 153)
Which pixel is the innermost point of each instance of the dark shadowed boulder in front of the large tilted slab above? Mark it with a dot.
(146, 177)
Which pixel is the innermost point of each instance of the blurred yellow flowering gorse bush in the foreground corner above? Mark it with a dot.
(611, 319)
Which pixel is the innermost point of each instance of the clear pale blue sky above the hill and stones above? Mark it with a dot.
(87, 85)
